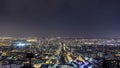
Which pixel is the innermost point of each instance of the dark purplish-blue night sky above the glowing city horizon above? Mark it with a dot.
(65, 18)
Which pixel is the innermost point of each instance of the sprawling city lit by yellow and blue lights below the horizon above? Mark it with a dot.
(59, 52)
